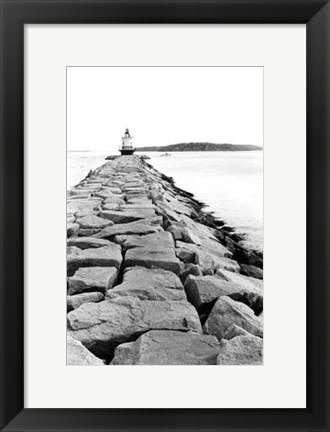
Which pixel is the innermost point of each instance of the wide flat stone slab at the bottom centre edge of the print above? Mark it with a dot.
(159, 347)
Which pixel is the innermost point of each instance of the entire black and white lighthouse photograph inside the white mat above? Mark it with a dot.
(164, 216)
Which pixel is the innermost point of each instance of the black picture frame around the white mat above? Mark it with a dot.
(14, 14)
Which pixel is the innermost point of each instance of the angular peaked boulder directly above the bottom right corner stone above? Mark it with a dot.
(227, 312)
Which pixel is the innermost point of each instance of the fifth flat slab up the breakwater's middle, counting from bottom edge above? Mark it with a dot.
(159, 240)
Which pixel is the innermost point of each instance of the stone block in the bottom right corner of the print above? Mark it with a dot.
(241, 350)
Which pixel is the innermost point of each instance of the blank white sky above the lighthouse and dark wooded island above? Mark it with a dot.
(163, 105)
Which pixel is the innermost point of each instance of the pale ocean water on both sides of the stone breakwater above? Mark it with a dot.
(229, 183)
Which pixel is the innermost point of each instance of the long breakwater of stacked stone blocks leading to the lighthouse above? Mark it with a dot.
(153, 279)
